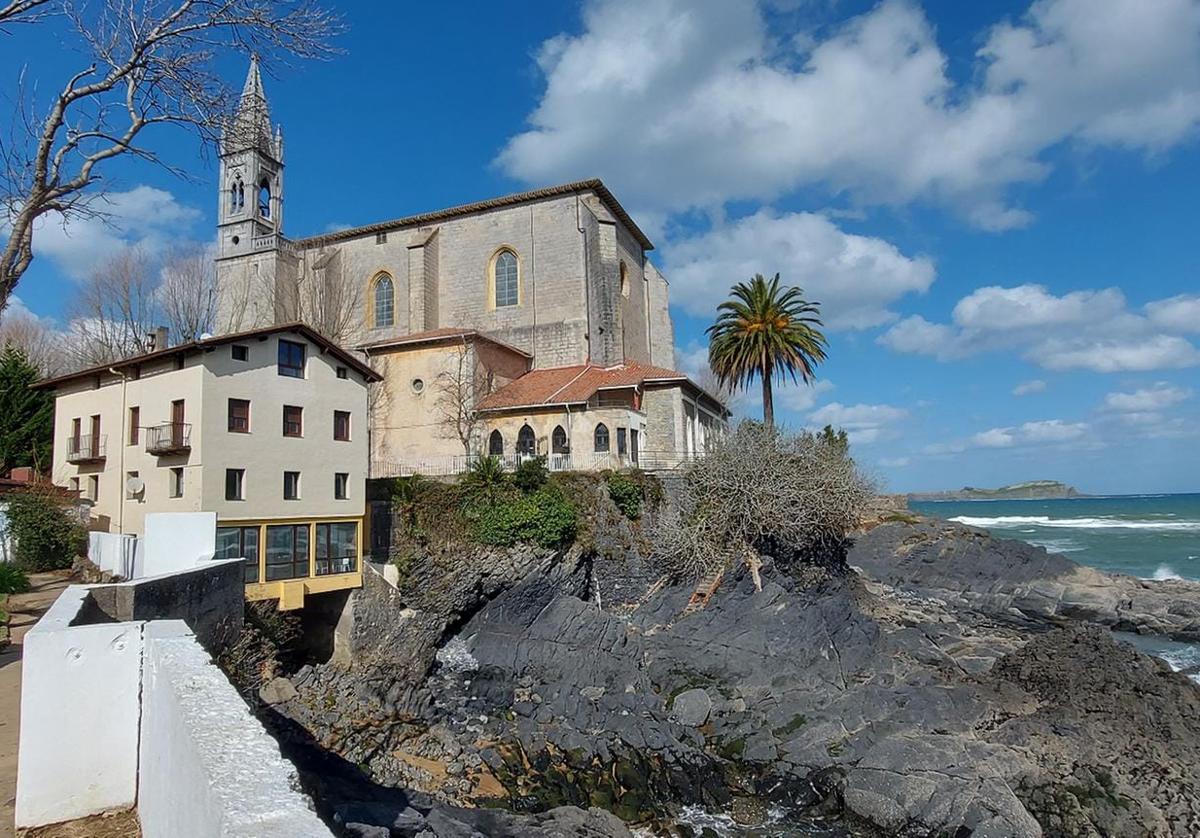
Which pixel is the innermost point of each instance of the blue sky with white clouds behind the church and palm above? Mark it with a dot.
(995, 203)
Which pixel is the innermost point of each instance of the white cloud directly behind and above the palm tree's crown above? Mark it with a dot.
(855, 278)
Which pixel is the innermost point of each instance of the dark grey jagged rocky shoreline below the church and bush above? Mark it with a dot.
(940, 683)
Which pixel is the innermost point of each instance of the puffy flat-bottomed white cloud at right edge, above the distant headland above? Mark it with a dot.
(1078, 331)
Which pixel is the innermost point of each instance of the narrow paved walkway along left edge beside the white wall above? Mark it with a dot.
(26, 609)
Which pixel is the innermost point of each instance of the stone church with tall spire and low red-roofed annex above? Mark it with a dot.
(527, 325)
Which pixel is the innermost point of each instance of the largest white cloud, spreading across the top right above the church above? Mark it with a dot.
(686, 104)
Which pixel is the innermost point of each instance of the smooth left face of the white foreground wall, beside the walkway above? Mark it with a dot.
(80, 696)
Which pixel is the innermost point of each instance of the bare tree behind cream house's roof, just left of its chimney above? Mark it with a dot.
(116, 312)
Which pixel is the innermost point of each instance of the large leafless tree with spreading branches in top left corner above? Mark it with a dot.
(148, 63)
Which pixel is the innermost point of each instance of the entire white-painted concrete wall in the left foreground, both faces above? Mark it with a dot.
(117, 715)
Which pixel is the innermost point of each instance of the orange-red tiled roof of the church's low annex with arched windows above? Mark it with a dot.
(577, 385)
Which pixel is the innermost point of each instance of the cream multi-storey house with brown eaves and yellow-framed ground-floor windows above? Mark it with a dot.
(268, 429)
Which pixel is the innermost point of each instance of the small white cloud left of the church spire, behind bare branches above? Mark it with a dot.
(145, 216)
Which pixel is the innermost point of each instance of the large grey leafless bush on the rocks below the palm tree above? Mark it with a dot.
(763, 492)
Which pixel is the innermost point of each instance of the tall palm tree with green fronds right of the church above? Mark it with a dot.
(766, 332)
